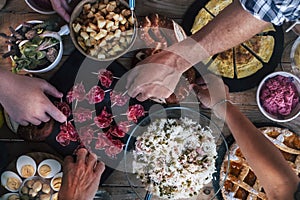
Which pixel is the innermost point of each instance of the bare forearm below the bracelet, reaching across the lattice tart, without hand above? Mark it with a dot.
(265, 159)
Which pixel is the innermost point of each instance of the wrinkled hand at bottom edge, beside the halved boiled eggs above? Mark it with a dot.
(81, 178)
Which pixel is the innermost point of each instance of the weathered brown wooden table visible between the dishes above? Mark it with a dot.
(16, 12)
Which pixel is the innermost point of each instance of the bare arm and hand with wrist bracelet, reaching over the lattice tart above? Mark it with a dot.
(267, 162)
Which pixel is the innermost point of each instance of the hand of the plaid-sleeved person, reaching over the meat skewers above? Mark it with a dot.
(155, 77)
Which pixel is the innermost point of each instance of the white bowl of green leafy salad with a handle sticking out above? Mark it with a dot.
(35, 48)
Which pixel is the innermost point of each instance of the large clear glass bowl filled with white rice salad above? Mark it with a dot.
(173, 153)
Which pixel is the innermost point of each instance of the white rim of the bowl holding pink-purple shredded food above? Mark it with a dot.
(262, 110)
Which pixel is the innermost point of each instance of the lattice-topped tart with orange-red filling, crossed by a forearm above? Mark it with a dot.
(241, 182)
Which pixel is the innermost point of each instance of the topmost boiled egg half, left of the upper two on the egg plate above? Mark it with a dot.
(26, 166)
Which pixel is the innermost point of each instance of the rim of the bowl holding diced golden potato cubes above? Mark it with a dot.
(78, 10)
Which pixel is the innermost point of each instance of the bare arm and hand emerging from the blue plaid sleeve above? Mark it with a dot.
(231, 27)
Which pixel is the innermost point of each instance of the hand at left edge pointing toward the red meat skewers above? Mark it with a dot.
(24, 99)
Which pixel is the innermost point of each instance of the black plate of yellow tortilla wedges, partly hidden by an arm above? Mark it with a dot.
(244, 66)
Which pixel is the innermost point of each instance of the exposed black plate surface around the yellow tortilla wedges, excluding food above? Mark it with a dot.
(236, 85)
